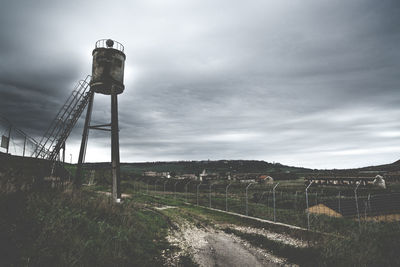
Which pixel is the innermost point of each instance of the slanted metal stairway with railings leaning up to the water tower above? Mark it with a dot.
(55, 136)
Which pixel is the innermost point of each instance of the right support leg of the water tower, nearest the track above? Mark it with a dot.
(116, 192)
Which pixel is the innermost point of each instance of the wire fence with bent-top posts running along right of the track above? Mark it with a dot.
(330, 209)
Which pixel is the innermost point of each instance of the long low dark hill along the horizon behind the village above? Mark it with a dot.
(35, 167)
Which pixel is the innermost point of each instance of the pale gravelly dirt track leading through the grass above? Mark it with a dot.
(207, 244)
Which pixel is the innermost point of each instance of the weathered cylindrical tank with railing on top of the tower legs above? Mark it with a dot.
(108, 67)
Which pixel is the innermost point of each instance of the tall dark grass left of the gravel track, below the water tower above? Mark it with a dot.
(78, 229)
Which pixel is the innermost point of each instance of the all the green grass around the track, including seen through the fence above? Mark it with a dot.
(40, 226)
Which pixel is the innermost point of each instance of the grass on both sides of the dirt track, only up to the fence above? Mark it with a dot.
(54, 228)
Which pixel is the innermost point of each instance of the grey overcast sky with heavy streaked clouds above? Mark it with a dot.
(309, 83)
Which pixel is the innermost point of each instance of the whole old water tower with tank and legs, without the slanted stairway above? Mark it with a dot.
(107, 79)
